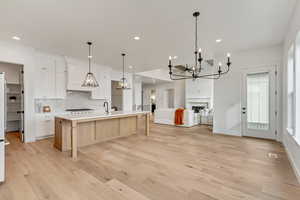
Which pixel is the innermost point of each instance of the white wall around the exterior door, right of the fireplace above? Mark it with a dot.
(227, 90)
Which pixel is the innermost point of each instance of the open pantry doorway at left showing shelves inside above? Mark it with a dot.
(14, 106)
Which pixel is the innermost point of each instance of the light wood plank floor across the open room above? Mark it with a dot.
(172, 164)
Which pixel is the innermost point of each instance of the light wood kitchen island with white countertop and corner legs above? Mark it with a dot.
(73, 131)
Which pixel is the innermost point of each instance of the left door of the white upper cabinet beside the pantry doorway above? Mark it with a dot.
(45, 77)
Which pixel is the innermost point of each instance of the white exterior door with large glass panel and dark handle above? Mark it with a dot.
(259, 103)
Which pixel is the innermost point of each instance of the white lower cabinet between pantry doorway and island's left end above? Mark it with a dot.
(44, 124)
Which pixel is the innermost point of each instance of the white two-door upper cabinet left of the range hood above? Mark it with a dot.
(50, 76)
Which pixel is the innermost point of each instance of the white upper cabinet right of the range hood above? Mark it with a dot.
(102, 75)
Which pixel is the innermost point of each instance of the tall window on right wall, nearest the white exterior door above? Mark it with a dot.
(291, 91)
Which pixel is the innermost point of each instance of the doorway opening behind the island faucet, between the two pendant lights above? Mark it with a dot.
(116, 97)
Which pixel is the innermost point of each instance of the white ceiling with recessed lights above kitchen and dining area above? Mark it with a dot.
(166, 27)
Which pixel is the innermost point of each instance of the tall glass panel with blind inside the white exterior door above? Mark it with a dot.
(258, 101)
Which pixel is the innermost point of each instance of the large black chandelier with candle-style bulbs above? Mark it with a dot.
(196, 71)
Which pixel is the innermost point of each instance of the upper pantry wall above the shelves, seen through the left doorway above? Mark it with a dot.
(12, 72)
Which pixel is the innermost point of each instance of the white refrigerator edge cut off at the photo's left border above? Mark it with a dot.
(2, 125)
